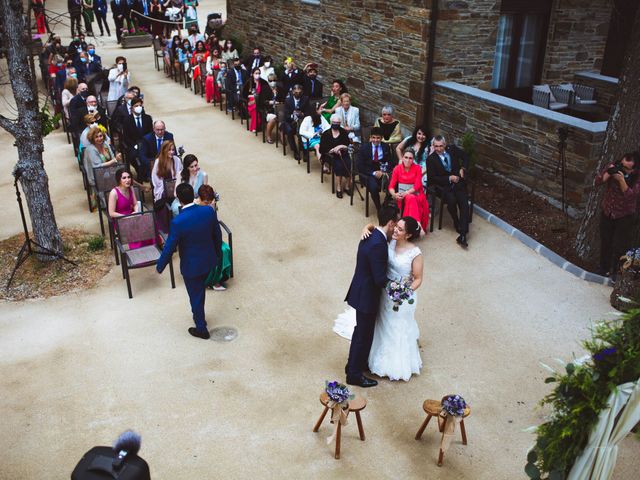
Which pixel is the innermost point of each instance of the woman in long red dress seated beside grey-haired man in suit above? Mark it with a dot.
(406, 188)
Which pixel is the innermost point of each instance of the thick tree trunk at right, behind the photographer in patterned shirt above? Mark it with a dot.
(622, 136)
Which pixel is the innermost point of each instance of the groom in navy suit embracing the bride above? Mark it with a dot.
(369, 279)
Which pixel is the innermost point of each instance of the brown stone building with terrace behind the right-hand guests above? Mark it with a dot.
(459, 66)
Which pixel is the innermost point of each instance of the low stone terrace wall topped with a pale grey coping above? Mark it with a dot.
(519, 140)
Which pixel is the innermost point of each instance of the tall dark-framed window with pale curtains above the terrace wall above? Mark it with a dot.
(520, 47)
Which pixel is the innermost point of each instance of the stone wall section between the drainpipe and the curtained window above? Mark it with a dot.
(466, 41)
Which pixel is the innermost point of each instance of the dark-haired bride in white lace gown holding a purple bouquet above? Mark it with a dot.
(394, 351)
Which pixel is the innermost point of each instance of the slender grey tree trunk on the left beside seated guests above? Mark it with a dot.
(27, 129)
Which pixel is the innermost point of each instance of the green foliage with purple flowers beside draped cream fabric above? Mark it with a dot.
(581, 393)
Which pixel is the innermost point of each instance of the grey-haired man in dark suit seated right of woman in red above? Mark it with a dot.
(446, 168)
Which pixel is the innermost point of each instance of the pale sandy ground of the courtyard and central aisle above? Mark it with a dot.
(78, 369)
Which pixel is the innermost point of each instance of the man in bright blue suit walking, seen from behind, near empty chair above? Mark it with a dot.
(196, 234)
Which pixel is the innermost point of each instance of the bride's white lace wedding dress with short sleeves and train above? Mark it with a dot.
(394, 351)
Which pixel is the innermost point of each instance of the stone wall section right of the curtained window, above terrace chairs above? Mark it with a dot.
(577, 37)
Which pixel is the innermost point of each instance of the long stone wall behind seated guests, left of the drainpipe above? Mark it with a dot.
(377, 47)
